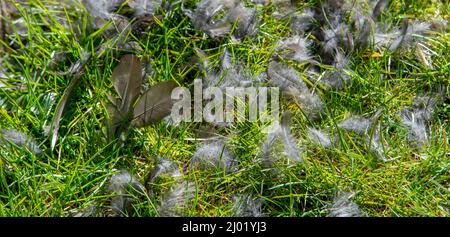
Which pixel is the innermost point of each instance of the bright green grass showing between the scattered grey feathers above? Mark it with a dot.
(75, 174)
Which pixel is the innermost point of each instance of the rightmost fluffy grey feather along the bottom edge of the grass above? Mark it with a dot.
(344, 207)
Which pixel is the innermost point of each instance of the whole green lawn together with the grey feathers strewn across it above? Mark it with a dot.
(364, 103)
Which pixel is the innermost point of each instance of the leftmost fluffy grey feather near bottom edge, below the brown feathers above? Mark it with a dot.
(125, 189)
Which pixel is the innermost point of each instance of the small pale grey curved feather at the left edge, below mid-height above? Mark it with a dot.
(20, 139)
